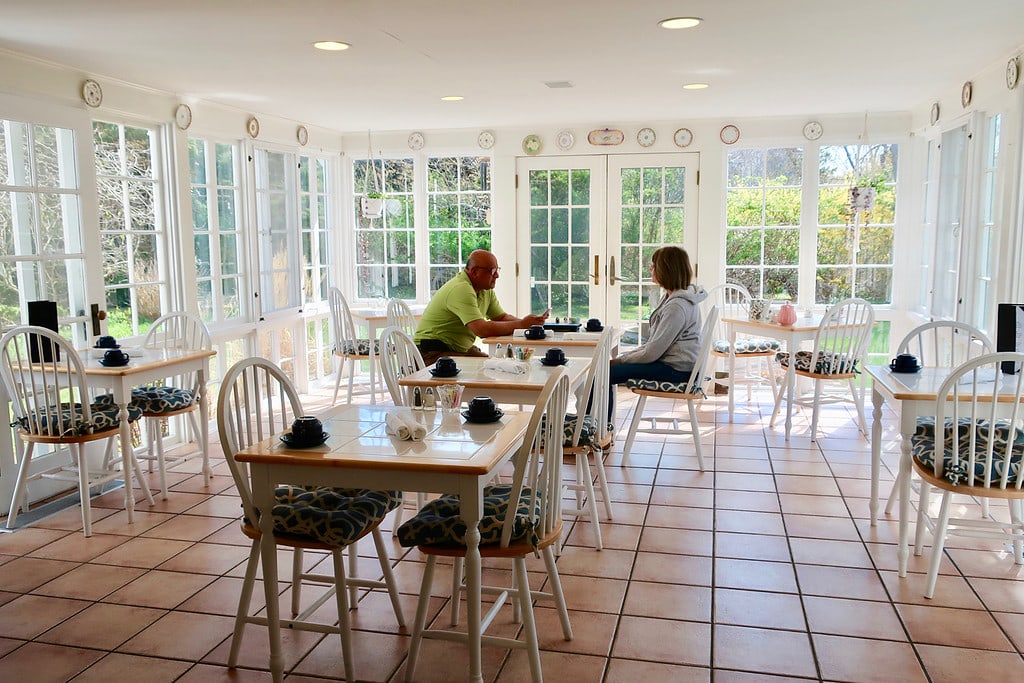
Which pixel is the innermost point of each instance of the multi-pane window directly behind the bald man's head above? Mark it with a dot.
(459, 214)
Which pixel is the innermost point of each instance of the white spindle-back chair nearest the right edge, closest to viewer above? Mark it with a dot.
(973, 447)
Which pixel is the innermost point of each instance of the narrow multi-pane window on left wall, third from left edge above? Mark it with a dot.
(218, 235)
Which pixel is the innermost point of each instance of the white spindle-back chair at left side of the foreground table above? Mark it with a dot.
(257, 402)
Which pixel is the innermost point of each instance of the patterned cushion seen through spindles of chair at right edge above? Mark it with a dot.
(923, 448)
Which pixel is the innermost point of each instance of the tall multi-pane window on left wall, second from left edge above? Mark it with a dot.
(132, 226)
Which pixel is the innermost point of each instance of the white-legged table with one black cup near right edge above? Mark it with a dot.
(914, 395)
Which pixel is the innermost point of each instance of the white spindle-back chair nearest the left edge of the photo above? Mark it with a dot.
(51, 405)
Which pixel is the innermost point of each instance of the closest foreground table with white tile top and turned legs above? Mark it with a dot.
(455, 457)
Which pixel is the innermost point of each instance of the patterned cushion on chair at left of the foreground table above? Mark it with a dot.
(334, 517)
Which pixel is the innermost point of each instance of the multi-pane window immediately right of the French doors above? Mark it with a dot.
(763, 205)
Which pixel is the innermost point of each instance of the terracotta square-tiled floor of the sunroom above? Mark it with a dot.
(762, 569)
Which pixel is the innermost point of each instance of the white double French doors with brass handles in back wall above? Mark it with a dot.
(588, 226)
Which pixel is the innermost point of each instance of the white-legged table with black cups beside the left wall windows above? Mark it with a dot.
(147, 366)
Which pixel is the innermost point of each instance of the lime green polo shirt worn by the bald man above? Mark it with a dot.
(452, 309)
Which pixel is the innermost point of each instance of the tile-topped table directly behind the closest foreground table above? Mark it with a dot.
(478, 379)
